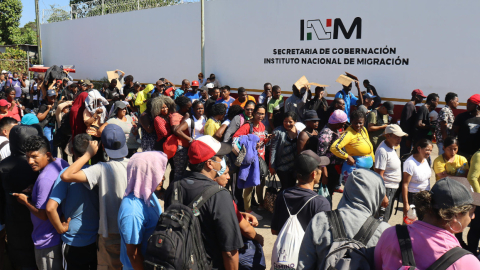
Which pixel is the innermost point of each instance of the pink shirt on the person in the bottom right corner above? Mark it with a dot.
(428, 243)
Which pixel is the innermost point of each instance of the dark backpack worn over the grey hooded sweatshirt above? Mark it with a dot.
(346, 253)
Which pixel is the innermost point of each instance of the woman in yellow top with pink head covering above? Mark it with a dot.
(354, 146)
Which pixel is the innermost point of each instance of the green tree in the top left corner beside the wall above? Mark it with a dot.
(10, 13)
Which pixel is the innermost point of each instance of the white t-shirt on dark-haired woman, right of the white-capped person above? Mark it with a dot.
(420, 173)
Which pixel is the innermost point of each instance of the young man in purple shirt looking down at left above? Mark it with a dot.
(48, 249)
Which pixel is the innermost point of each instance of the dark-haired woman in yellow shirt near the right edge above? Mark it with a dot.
(449, 163)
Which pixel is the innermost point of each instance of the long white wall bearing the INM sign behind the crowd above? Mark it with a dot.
(438, 37)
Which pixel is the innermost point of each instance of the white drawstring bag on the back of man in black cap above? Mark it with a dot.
(287, 246)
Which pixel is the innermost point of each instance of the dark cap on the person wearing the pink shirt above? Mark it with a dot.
(453, 191)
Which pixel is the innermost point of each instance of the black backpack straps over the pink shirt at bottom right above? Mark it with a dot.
(408, 261)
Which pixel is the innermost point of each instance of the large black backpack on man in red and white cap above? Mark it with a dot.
(177, 241)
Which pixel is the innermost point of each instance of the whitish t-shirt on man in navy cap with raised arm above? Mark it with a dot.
(111, 179)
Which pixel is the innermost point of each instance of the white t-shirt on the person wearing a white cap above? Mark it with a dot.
(386, 159)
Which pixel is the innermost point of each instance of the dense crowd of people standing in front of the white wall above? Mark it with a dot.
(102, 209)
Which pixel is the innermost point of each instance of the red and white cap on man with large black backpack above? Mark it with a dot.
(205, 147)
